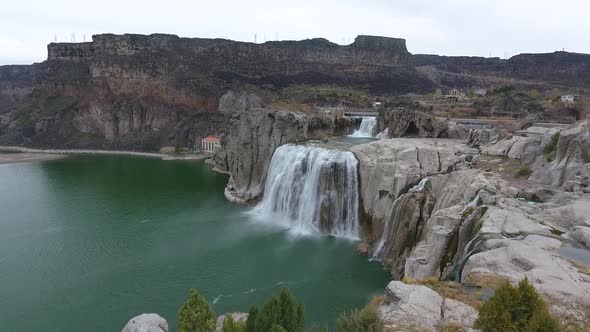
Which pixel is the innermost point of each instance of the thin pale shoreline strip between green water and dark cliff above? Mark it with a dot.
(162, 156)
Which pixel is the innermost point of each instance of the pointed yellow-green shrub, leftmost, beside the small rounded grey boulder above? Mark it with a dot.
(196, 315)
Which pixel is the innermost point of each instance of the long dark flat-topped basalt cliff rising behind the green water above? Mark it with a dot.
(143, 92)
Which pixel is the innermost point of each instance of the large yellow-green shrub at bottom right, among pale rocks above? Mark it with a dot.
(518, 308)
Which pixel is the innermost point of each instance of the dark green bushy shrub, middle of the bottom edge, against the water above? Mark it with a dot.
(280, 313)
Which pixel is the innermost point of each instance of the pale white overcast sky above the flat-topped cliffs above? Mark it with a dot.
(450, 27)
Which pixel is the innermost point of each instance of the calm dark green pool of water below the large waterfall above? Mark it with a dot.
(88, 242)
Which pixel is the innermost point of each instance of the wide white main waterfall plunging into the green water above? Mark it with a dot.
(312, 189)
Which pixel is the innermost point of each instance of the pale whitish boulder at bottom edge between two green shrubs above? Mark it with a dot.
(416, 307)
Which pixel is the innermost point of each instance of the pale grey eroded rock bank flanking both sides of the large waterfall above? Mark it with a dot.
(453, 209)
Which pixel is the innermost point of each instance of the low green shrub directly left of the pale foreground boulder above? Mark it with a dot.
(364, 320)
